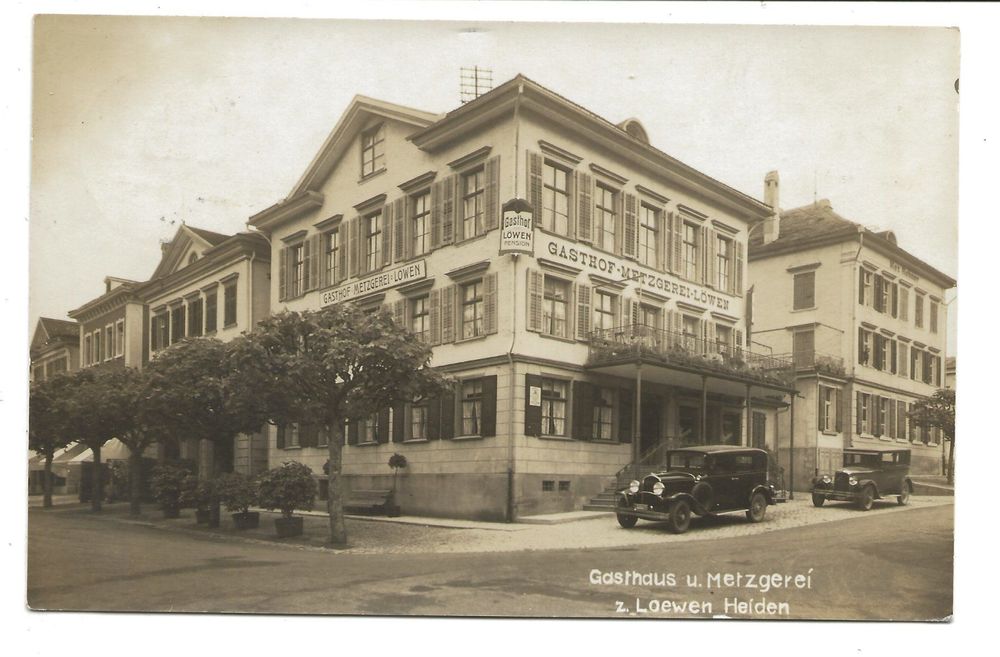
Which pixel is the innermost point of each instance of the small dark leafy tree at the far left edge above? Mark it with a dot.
(49, 426)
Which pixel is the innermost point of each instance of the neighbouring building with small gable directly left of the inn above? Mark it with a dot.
(209, 284)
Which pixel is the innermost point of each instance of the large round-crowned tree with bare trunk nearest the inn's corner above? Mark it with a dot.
(322, 368)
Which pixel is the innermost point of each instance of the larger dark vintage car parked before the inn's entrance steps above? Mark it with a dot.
(703, 480)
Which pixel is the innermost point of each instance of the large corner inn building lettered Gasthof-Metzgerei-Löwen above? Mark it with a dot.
(622, 334)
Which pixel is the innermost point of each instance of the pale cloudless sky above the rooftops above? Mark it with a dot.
(141, 123)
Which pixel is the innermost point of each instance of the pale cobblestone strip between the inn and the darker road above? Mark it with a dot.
(375, 537)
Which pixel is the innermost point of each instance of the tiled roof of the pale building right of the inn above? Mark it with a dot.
(816, 225)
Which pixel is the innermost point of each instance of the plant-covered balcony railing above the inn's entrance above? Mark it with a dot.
(688, 351)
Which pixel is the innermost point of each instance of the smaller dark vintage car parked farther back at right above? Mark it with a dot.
(868, 474)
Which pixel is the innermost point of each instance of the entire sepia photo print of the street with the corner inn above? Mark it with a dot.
(460, 318)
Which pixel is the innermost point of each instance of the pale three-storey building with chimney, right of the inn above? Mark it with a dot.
(864, 322)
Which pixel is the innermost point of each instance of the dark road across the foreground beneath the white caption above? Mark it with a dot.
(890, 566)
